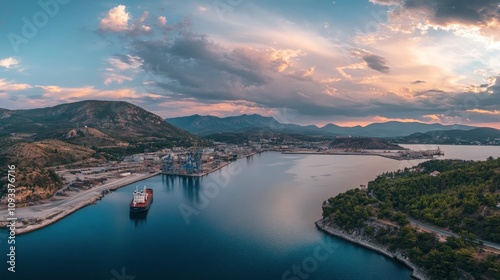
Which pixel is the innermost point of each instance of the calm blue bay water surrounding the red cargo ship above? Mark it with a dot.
(255, 223)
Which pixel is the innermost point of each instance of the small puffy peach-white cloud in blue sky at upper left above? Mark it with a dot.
(117, 21)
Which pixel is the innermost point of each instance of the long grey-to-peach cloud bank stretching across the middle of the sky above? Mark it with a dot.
(190, 66)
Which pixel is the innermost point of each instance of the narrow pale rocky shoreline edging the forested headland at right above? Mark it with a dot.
(417, 273)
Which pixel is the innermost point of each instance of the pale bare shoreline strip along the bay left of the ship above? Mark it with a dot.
(56, 214)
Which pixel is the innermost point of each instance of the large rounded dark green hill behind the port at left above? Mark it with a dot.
(117, 119)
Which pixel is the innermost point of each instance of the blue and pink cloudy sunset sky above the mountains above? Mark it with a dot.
(348, 62)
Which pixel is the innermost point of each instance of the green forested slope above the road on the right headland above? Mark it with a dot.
(463, 196)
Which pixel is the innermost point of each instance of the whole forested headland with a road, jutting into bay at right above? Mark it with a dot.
(441, 218)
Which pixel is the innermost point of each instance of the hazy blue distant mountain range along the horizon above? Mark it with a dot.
(206, 125)
